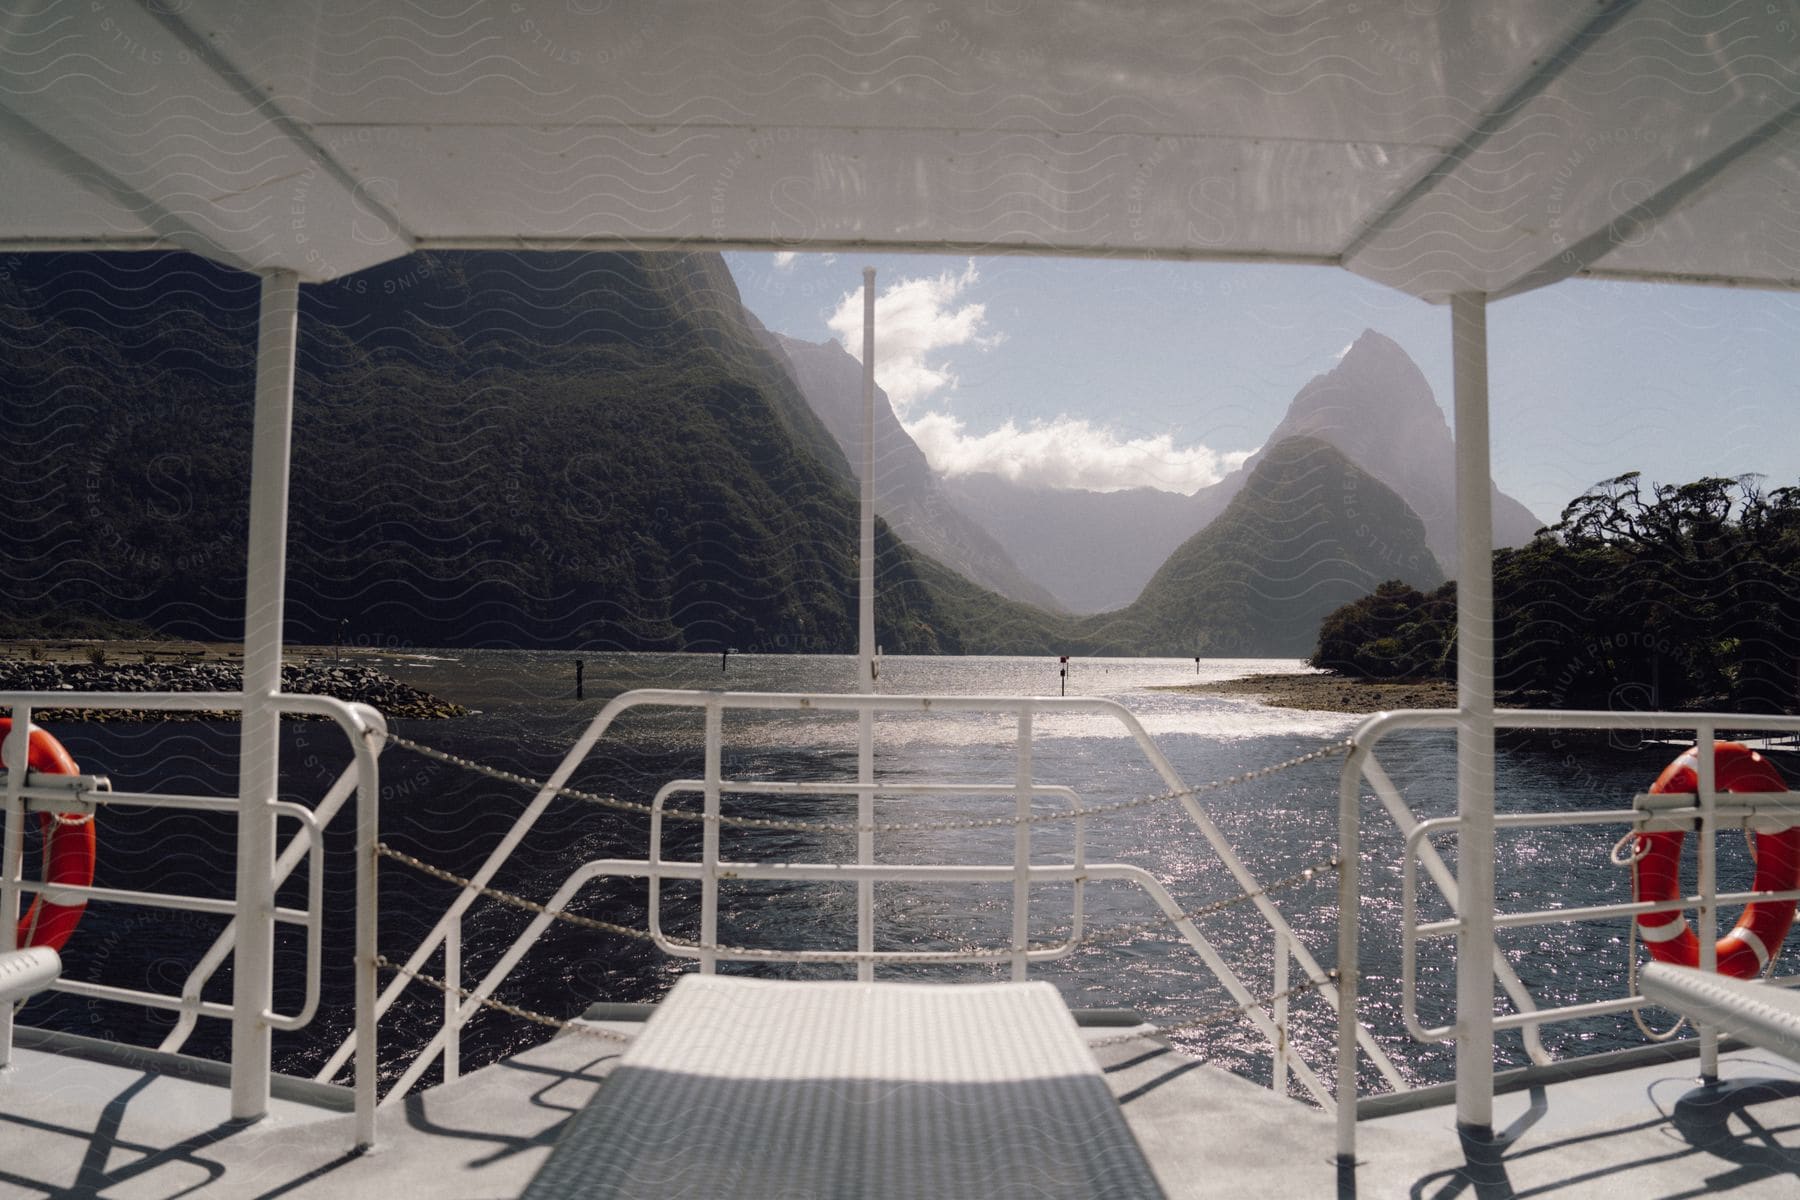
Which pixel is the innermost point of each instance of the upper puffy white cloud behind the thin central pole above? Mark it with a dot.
(913, 321)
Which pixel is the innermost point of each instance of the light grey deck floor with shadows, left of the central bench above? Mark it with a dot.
(73, 1127)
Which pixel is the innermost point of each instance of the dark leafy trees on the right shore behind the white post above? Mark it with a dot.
(1642, 596)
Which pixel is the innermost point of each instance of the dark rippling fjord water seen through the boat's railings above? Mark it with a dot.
(528, 717)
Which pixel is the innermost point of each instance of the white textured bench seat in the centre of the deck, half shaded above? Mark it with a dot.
(748, 1088)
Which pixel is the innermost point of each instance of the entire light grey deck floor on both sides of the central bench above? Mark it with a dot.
(71, 1127)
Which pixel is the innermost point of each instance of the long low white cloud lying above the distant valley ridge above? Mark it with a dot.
(1070, 452)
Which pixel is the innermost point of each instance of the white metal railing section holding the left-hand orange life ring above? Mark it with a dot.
(363, 728)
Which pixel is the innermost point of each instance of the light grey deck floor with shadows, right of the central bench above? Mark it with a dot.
(1639, 1133)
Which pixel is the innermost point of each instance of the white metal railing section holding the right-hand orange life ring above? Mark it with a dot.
(1705, 810)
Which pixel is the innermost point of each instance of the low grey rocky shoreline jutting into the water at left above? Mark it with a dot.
(314, 679)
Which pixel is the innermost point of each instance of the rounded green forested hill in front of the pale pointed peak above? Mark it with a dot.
(1308, 533)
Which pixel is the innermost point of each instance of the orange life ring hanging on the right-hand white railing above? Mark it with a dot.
(1657, 875)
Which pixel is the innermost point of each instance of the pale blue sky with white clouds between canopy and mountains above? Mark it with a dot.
(1113, 373)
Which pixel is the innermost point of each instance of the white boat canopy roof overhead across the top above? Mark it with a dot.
(1437, 147)
